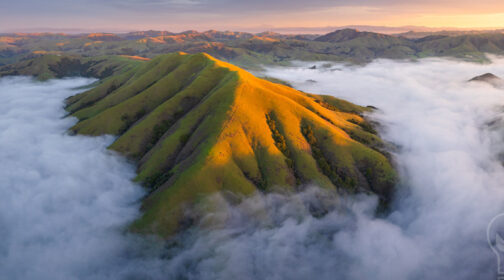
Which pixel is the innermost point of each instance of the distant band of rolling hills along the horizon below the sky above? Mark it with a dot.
(253, 50)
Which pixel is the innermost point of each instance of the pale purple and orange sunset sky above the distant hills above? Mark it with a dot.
(243, 15)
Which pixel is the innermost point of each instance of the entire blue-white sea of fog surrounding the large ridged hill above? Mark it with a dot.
(65, 201)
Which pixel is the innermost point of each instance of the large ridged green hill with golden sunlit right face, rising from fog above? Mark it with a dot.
(197, 125)
